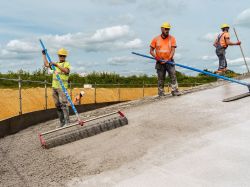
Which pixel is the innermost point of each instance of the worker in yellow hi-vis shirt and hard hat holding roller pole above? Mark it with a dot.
(62, 69)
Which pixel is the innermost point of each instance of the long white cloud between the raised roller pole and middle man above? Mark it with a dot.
(106, 39)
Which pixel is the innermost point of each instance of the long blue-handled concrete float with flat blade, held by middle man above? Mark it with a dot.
(210, 74)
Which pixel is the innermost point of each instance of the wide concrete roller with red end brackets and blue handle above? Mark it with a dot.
(76, 131)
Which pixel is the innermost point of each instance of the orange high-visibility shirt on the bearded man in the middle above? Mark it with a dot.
(163, 47)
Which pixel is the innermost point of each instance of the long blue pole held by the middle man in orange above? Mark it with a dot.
(198, 70)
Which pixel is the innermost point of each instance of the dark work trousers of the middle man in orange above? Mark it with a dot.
(161, 72)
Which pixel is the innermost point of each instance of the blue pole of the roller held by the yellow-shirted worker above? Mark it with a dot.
(60, 81)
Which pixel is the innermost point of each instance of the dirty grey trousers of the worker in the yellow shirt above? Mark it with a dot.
(61, 104)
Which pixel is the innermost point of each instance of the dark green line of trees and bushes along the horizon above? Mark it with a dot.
(102, 78)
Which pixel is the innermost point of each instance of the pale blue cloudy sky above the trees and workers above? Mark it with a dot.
(100, 35)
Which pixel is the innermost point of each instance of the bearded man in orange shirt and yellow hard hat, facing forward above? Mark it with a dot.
(163, 47)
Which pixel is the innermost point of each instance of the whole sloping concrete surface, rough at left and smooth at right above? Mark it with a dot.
(191, 140)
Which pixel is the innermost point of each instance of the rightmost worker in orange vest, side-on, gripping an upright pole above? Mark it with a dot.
(221, 43)
